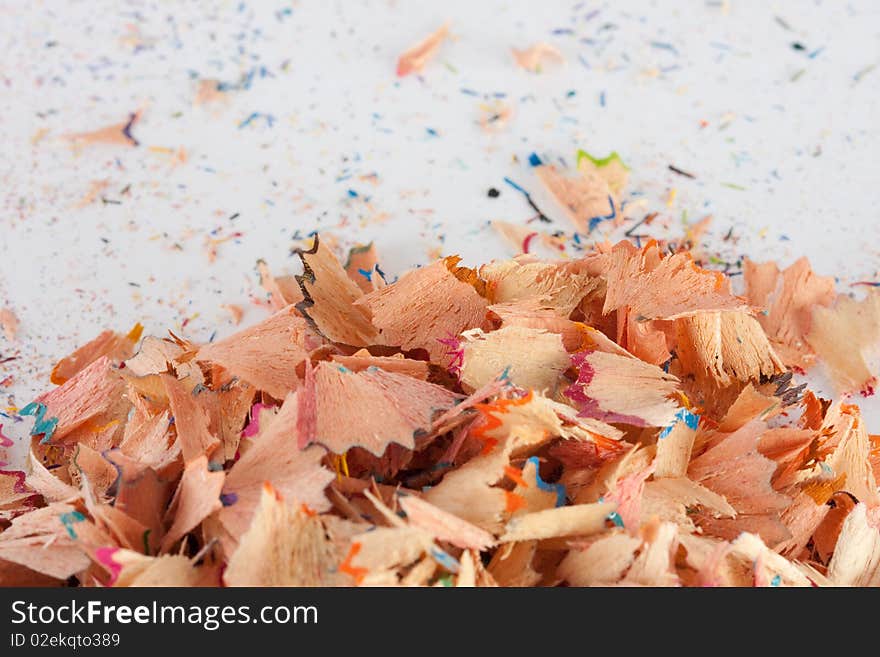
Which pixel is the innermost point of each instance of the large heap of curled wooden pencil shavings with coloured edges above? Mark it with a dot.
(619, 419)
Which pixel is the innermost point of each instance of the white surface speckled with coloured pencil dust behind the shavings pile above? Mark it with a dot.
(772, 106)
